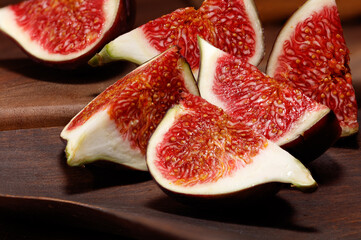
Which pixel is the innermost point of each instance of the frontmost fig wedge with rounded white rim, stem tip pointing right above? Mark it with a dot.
(199, 151)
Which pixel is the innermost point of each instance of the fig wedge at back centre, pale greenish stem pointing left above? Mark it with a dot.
(231, 25)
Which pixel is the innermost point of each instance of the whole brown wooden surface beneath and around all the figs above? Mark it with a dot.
(43, 198)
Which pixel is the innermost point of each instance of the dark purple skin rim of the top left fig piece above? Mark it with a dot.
(124, 22)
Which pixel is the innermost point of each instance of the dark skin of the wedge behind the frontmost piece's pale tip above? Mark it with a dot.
(316, 140)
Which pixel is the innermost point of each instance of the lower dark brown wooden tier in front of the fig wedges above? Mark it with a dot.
(35, 179)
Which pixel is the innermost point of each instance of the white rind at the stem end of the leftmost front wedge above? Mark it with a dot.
(99, 139)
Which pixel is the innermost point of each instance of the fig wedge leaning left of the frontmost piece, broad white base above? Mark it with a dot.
(117, 124)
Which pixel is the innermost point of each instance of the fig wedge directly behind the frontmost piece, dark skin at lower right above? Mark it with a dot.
(282, 114)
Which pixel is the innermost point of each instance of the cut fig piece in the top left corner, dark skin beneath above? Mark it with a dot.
(62, 33)
